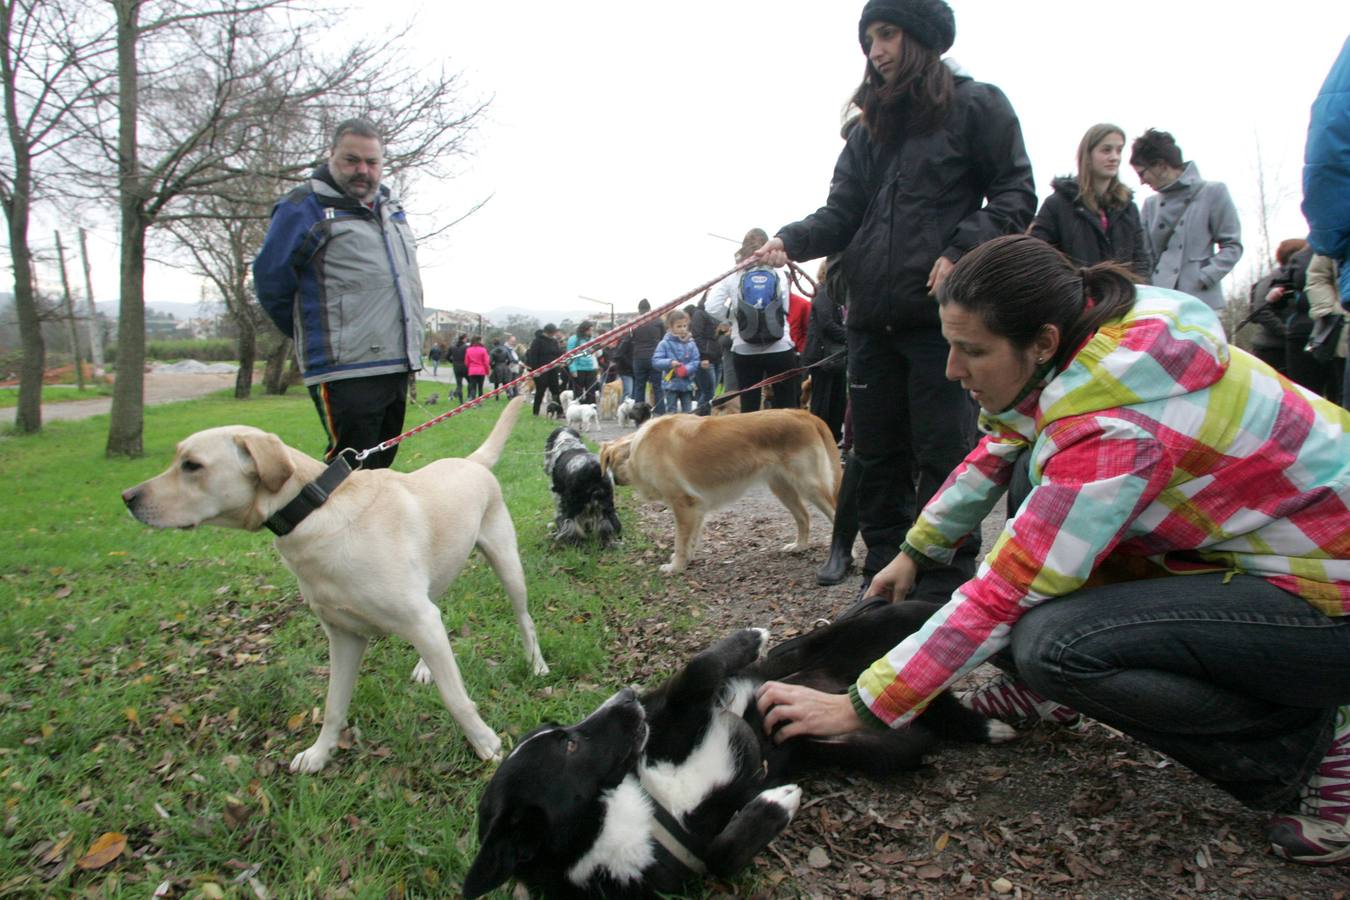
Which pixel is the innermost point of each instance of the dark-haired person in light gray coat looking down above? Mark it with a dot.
(1190, 226)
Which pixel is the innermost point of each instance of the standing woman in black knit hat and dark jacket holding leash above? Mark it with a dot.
(936, 168)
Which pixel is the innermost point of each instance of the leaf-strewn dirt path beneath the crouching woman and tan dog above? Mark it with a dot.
(1055, 814)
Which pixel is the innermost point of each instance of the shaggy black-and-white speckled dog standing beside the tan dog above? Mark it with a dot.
(583, 493)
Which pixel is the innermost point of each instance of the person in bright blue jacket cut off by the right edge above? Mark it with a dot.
(1326, 177)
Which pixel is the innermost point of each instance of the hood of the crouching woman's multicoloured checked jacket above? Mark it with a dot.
(1168, 346)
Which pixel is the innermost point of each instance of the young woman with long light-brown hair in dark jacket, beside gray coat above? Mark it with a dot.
(1100, 225)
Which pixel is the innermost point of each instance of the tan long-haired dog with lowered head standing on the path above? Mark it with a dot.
(699, 465)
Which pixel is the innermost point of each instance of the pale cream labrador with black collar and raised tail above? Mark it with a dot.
(372, 561)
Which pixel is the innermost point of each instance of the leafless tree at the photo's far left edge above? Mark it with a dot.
(51, 65)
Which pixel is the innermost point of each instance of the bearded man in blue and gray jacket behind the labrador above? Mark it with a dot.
(338, 273)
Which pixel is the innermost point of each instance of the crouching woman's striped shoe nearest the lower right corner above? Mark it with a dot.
(1320, 832)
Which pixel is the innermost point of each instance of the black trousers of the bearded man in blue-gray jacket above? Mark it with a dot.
(360, 414)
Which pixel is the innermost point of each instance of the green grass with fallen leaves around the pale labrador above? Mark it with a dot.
(156, 685)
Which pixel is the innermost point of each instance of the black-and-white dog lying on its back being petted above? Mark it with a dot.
(651, 793)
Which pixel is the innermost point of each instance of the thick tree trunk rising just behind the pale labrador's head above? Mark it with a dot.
(128, 420)
